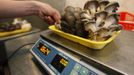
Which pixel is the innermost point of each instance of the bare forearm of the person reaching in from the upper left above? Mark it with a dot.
(9, 8)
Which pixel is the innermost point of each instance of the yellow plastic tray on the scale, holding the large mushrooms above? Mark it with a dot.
(83, 41)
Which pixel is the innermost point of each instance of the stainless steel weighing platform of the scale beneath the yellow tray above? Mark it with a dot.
(117, 54)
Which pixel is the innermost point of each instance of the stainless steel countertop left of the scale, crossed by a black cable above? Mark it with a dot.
(23, 63)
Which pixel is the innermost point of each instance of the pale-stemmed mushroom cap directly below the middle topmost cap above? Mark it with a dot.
(100, 16)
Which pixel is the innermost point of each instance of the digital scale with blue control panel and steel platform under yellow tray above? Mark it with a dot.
(60, 56)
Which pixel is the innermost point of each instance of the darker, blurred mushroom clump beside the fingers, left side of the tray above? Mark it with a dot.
(69, 19)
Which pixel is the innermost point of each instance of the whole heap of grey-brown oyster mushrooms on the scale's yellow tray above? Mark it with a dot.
(97, 21)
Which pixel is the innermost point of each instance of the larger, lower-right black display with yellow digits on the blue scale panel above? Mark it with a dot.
(59, 63)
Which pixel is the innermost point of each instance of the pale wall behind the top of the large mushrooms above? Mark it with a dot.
(125, 5)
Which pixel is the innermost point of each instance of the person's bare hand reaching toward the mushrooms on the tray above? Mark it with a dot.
(49, 14)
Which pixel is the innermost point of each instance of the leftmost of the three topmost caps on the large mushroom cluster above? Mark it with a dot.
(92, 6)
